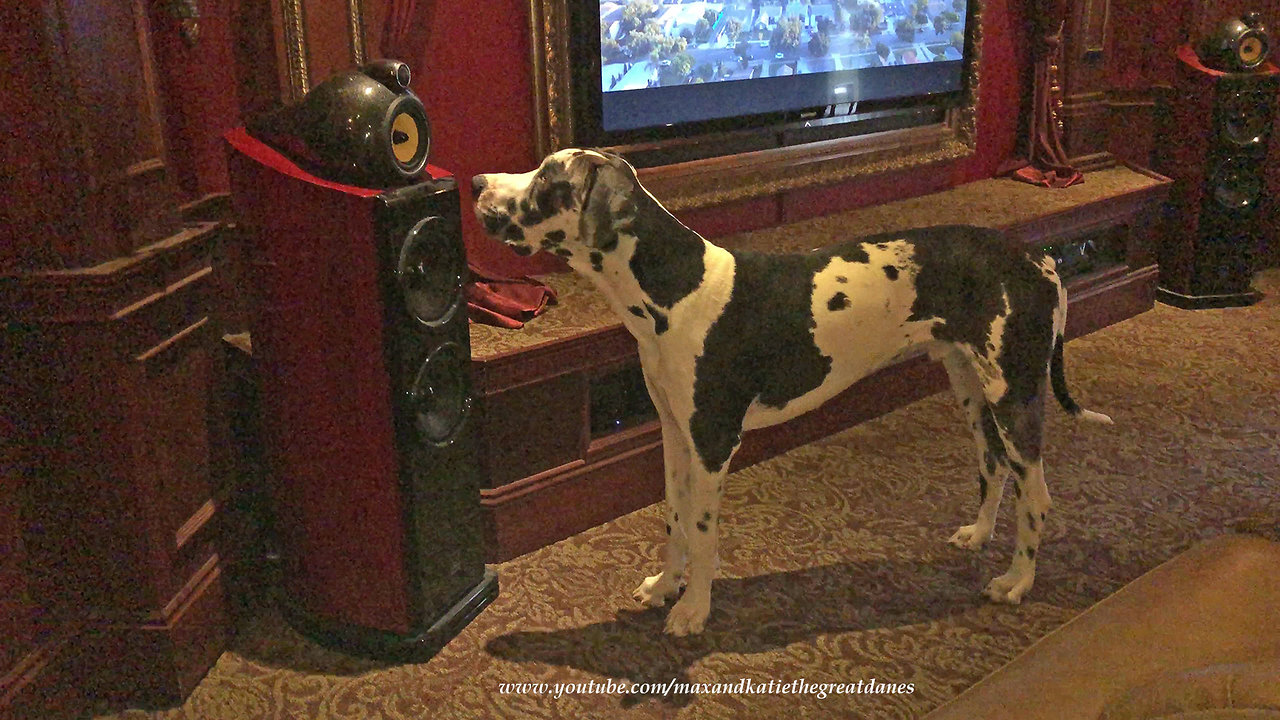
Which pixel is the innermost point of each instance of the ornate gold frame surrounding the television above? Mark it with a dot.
(758, 174)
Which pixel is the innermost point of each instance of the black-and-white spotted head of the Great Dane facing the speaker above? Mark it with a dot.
(559, 207)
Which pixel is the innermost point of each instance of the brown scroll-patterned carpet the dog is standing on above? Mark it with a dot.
(835, 567)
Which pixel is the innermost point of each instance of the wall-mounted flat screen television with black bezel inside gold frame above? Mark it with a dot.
(652, 70)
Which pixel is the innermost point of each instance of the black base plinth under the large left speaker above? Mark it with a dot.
(382, 645)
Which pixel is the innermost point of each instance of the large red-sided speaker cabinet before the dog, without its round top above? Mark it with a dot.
(362, 341)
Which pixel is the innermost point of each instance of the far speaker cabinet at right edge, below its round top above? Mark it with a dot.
(1214, 139)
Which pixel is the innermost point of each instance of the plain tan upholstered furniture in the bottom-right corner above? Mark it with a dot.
(1149, 651)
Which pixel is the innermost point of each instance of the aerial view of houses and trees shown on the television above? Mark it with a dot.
(650, 44)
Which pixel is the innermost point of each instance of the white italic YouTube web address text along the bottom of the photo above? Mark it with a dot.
(744, 686)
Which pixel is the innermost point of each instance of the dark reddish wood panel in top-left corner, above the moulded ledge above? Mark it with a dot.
(83, 134)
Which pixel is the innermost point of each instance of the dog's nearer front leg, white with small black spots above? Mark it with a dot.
(701, 523)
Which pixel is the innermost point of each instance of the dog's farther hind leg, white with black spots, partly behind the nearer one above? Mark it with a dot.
(993, 462)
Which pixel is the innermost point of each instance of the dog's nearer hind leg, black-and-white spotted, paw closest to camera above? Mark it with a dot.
(1021, 423)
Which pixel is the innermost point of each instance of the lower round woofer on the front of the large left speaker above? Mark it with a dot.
(440, 395)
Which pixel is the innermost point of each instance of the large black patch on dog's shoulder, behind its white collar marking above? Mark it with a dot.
(760, 350)
